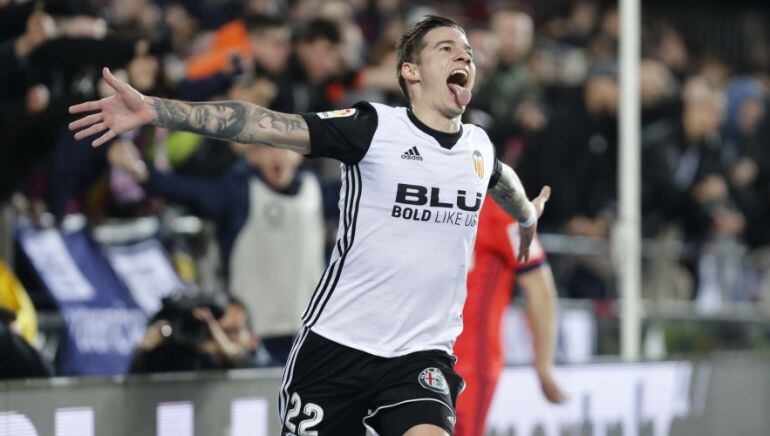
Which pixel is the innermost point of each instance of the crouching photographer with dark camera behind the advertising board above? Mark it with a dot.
(194, 333)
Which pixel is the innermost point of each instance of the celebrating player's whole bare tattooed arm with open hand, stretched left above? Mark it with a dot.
(227, 120)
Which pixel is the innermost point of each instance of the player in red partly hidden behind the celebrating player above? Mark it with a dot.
(490, 282)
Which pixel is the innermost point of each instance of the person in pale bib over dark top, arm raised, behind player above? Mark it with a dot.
(269, 219)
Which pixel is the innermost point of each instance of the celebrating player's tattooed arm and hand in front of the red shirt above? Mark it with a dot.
(509, 193)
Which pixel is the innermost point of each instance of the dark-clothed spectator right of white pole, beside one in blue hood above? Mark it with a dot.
(685, 173)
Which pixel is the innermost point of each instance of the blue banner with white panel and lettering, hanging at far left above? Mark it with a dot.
(103, 321)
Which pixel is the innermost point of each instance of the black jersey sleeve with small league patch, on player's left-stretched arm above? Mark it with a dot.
(343, 134)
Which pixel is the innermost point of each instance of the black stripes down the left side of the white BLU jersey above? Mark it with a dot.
(352, 189)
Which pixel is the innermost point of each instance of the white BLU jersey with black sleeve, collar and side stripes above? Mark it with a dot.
(409, 207)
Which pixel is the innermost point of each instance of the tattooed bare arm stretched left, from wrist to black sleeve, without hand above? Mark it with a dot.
(233, 121)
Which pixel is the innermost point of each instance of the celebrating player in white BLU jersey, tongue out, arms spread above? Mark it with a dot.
(375, 352)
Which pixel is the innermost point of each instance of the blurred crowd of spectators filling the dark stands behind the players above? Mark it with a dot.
(546, 92)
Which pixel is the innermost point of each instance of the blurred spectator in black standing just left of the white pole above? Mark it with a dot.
(581, 140)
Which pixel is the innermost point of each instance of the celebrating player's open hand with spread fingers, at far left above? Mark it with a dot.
(118, 113)
